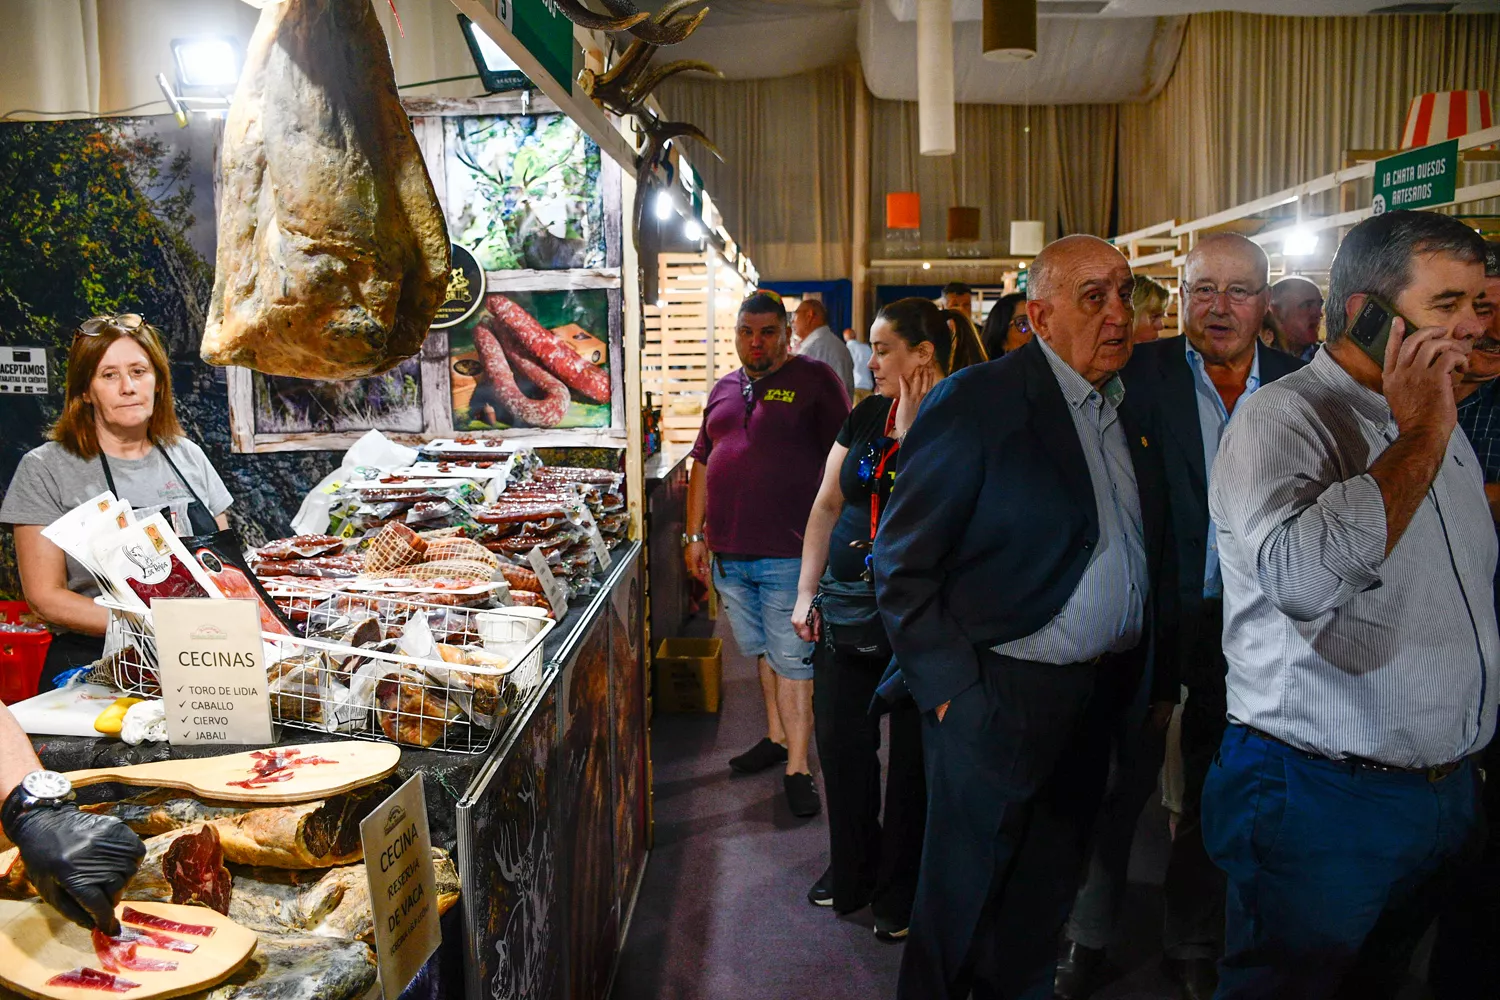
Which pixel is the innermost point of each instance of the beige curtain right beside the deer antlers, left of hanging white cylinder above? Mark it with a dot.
(787, 182)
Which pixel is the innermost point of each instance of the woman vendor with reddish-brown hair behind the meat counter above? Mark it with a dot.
(118, 433)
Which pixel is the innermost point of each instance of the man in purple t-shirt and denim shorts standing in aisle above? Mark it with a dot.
(757, 467)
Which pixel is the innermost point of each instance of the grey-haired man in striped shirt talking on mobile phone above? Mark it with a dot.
(1360, 630)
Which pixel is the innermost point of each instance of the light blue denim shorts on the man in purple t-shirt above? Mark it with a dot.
(760, 596)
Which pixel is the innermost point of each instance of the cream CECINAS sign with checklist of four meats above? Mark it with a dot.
(212, 669)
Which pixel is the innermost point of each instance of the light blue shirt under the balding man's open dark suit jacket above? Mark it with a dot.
(1106, 611)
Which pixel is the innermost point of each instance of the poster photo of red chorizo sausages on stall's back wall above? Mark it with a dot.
(533, 361)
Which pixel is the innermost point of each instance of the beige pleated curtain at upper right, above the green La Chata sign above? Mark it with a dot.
(1258, 104)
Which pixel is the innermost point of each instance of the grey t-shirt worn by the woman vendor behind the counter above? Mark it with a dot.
(50, 482)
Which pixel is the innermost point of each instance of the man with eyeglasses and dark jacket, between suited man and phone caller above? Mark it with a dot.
(1193, 385)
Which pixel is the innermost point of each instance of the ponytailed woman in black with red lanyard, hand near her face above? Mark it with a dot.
(914, 346)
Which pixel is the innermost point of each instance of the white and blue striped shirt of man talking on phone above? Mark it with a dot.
(1334, 647)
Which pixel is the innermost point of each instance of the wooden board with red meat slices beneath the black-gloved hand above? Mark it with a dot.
(37, 944)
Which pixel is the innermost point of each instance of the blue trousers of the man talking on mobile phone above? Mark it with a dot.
(1336, 872)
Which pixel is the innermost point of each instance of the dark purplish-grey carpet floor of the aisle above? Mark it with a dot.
(722, 911)
